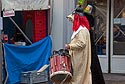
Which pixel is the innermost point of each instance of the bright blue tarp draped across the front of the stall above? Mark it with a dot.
(26, 58)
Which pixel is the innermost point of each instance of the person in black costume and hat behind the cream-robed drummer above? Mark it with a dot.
(97, 75)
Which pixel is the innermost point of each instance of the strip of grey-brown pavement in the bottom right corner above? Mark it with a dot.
(114, 78)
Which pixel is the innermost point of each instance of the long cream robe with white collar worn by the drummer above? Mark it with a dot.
(80, 51)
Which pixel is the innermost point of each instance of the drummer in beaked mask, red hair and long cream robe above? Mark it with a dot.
(80, 48)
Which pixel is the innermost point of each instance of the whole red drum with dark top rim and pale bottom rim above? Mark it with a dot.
(60, 66)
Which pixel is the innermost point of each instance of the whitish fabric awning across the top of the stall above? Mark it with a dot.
(25, 4)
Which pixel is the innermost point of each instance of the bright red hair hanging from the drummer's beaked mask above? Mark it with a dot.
(80, 20)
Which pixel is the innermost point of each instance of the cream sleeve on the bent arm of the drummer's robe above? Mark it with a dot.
(80, 40)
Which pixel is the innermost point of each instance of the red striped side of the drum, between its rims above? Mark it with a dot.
(60, 63)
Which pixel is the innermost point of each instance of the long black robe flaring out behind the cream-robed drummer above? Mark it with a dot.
(97, 75)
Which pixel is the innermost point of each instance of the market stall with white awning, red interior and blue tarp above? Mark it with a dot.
(26, 27)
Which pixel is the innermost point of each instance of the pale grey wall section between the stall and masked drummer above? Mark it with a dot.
(61, 28)
